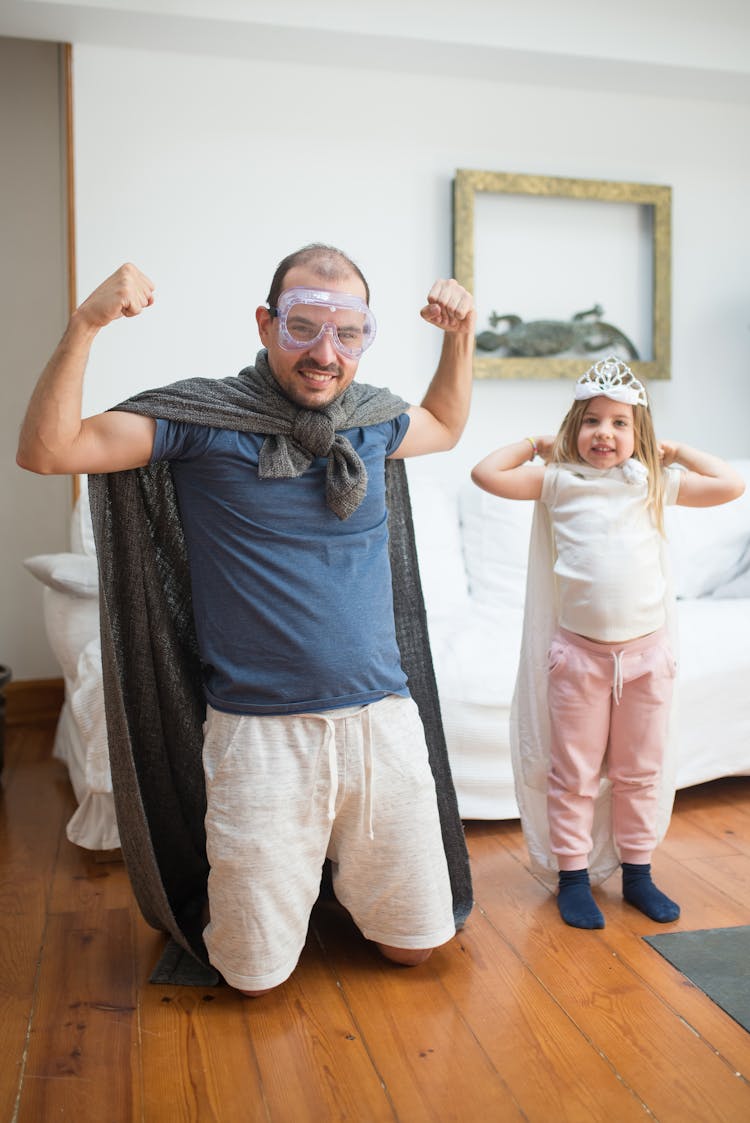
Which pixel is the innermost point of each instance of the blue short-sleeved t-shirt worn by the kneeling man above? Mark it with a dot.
(294, 607)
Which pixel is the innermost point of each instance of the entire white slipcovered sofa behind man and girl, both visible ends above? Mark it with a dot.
(473, 556)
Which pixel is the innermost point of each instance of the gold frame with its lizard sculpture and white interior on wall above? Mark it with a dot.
(564, 272)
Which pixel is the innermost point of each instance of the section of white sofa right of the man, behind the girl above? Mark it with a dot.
(473, 552)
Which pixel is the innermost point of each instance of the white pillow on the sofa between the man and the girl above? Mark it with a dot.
(496, 534)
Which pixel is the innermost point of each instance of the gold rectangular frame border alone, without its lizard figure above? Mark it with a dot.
(469, 185)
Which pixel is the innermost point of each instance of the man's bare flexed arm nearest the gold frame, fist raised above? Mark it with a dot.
(437, 424)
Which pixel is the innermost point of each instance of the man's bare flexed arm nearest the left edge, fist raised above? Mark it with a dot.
(54, 440)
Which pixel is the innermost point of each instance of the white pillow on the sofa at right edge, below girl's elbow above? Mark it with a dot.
(707, 544)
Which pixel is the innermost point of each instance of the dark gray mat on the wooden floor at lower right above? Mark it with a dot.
(718, 961)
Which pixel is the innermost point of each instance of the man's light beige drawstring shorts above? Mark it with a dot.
(285, 793)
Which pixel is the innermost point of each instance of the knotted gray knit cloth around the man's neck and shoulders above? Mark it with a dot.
(253, 403)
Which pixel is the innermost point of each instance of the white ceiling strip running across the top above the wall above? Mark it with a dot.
(684, 49)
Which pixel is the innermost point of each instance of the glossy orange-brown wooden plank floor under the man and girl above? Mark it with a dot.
(520, 1018)
